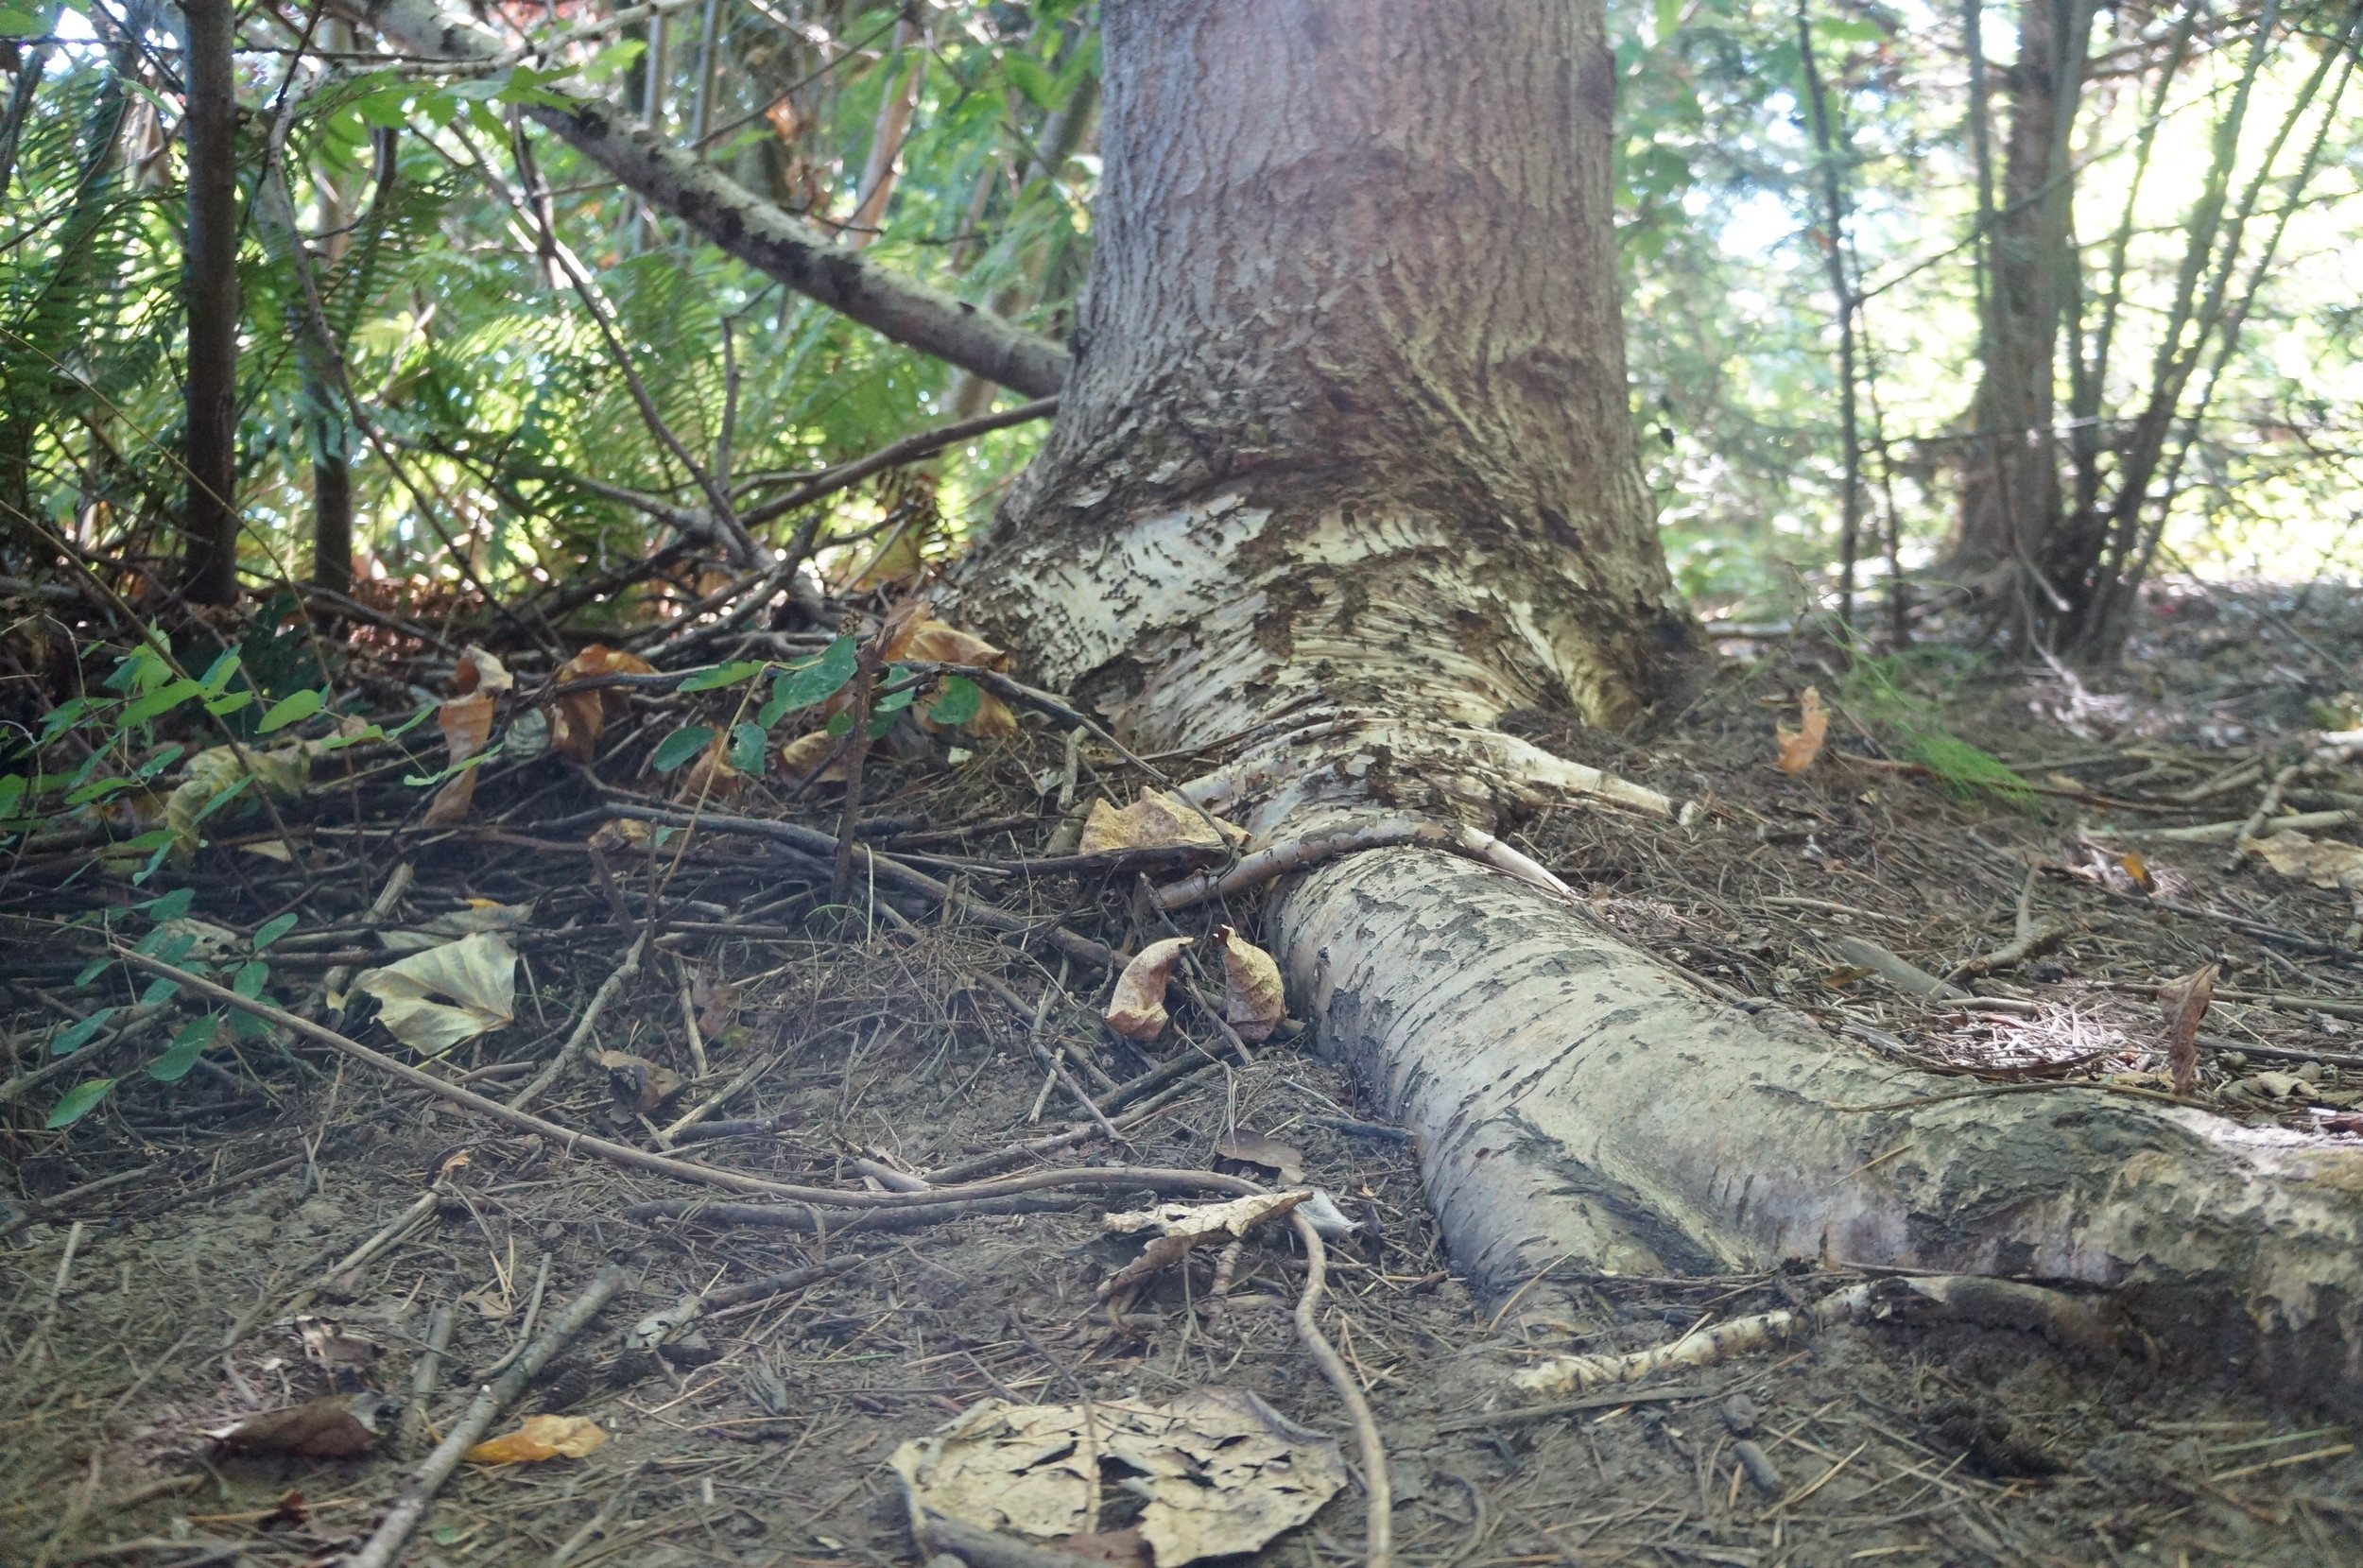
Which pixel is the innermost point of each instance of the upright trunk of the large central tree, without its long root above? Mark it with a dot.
(1348, 412)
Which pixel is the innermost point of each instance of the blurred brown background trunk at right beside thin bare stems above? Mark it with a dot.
(2012, 483)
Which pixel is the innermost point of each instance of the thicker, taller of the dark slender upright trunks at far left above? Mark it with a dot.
(211, 292)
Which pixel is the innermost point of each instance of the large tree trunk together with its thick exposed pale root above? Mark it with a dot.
(1343, 476)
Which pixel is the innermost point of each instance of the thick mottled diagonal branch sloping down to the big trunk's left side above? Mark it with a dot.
(757, 233)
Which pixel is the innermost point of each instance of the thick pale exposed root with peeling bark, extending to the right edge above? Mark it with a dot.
(1580, 1104)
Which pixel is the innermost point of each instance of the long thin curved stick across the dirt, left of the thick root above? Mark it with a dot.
(682, 1170)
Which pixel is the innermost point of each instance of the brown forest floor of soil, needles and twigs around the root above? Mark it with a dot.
(209, 1288)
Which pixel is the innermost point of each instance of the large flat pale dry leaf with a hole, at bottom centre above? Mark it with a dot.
(1218, 1468)
